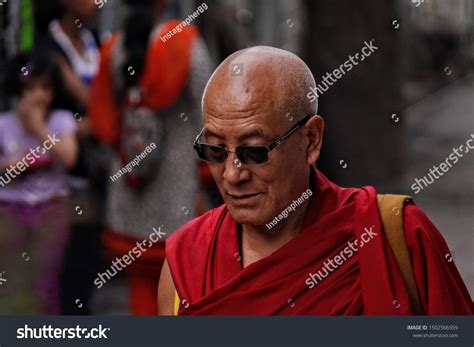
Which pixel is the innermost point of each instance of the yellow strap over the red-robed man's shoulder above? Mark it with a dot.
(391, 213)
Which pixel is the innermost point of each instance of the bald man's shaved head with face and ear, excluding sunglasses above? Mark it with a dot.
(254, 97)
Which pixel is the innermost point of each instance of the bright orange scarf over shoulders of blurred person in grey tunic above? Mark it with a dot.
(164, 77)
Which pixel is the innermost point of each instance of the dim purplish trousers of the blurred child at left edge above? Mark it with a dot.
(32, 244)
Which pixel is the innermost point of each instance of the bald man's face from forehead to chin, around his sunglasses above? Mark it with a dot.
(239, 111)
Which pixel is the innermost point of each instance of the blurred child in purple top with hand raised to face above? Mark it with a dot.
(33, 214)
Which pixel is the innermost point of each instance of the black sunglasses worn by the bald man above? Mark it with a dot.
(246, 154)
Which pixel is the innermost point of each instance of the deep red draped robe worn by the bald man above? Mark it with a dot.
(206, 266)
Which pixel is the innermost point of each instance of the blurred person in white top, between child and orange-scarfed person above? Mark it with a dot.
(75, 48)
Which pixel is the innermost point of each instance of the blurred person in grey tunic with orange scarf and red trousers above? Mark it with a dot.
(148, 90)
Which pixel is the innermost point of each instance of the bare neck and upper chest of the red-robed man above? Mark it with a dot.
(257, 242)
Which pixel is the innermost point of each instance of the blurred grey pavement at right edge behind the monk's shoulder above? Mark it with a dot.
(435, 125)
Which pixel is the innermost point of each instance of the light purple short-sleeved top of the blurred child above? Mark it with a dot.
(32, 188)
